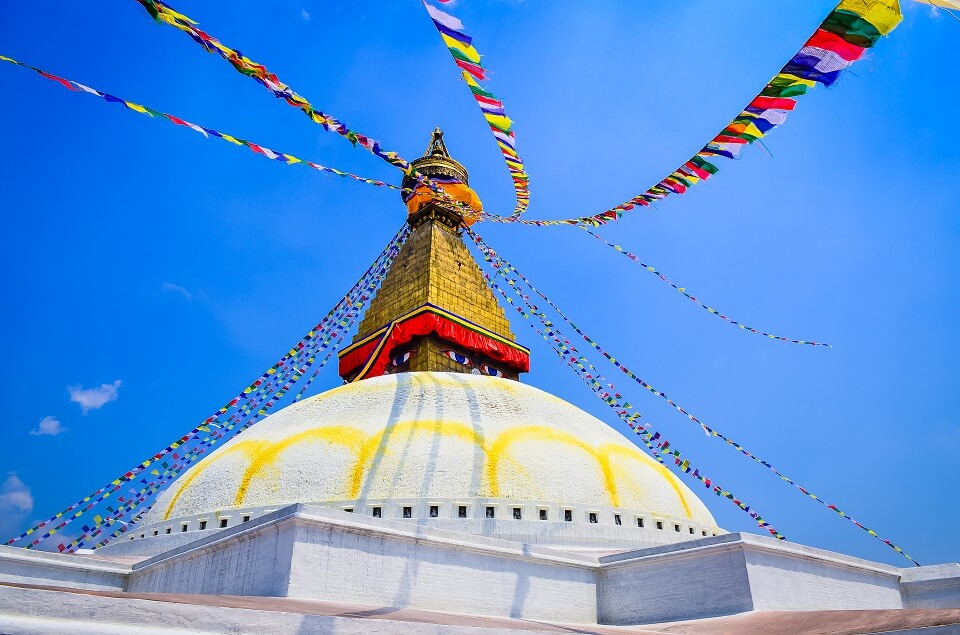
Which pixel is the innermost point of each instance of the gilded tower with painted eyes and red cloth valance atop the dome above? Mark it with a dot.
(434, 311)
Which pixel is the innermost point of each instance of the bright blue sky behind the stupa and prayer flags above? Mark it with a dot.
(149, 273)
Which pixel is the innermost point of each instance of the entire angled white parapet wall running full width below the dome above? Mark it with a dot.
(316, 553)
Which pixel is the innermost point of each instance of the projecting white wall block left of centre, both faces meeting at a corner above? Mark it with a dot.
(338, 556)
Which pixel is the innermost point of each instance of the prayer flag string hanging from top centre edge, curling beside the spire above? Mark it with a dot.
(466, 57)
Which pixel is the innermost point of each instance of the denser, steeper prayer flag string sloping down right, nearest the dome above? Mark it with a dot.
(604, 389)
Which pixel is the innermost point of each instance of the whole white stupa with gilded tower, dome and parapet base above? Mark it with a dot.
(436, 492)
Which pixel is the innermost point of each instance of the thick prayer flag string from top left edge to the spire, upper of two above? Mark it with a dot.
(163, 13)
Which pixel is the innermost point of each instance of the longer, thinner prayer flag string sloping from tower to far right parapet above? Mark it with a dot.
(499, 262)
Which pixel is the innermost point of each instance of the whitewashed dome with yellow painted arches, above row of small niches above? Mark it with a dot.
(430, 436)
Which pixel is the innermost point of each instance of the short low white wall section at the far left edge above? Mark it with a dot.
(38, 567)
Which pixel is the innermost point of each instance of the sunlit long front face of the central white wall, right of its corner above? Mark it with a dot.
(438, 572)
